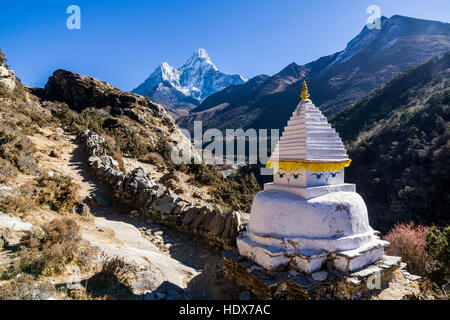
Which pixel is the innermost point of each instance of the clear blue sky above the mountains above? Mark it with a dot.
(122, 42)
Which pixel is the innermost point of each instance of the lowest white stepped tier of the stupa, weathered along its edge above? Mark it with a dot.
(310, 261)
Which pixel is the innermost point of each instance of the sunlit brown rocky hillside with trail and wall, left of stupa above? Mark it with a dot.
(63, 221)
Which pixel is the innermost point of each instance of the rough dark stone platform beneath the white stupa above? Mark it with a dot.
(372, 281)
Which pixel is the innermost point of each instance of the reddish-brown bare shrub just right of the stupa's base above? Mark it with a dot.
(408, 241)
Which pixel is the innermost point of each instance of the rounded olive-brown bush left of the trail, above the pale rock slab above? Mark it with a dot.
(57, 192)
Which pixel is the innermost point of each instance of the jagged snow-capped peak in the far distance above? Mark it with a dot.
(182, 89)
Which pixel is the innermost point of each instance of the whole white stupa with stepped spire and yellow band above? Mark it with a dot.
(308, 215)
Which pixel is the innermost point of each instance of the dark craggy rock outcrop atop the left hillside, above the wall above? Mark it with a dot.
(125, 113)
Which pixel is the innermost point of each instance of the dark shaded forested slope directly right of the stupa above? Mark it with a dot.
(398, 139)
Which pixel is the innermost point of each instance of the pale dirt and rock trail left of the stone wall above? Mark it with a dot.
(170, 257)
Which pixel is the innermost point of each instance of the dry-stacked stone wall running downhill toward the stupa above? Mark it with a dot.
(135, 191)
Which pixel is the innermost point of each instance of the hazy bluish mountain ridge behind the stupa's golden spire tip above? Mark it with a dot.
(370, 59)
